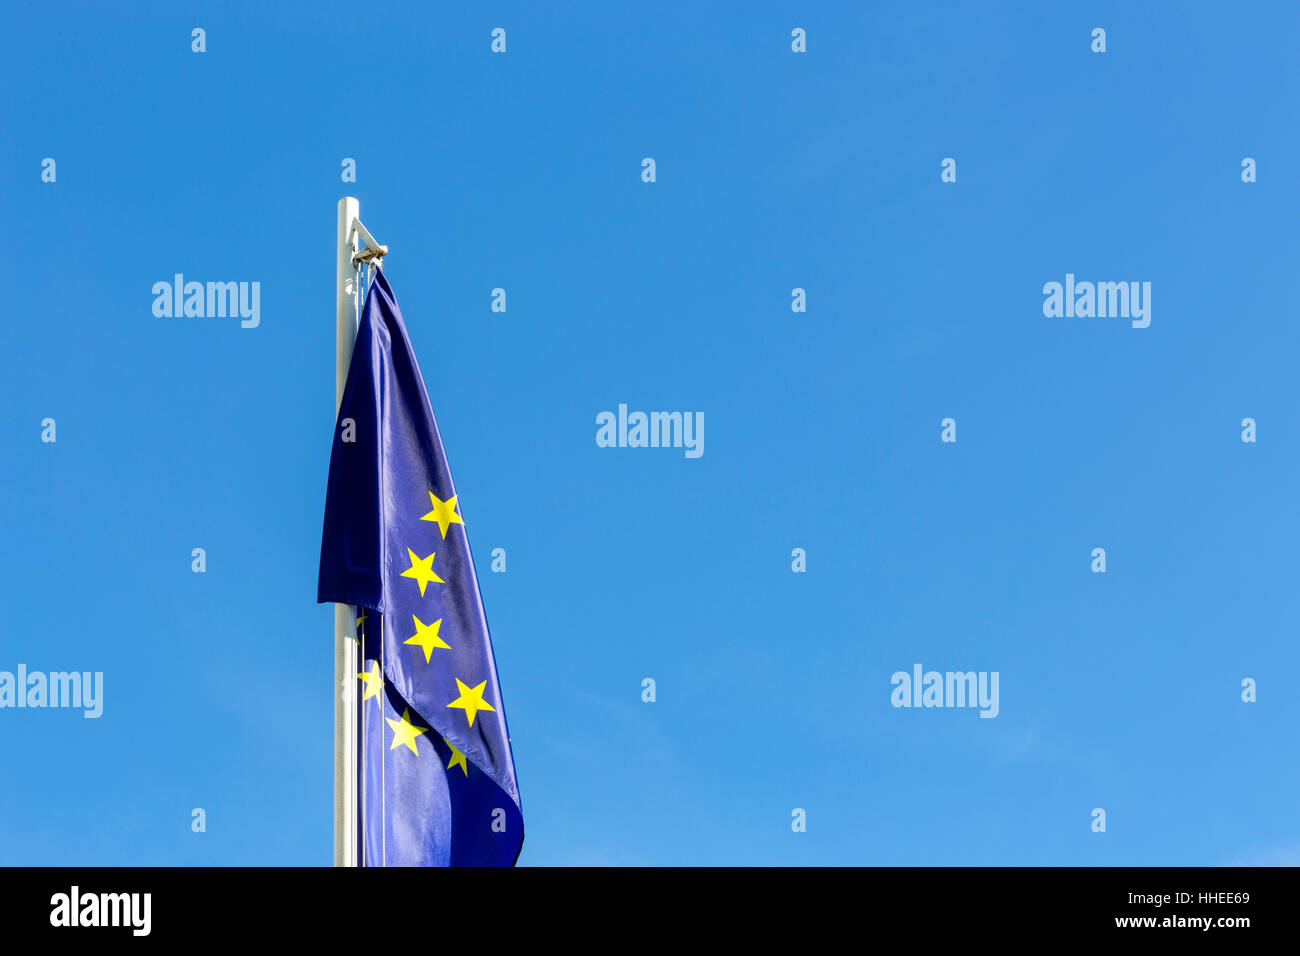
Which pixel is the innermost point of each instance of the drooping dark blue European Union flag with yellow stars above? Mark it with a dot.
(437, 778)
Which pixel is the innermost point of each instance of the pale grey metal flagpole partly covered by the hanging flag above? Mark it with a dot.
(345, 618)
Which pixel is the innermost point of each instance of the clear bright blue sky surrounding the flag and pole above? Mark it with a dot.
(774, 171)
